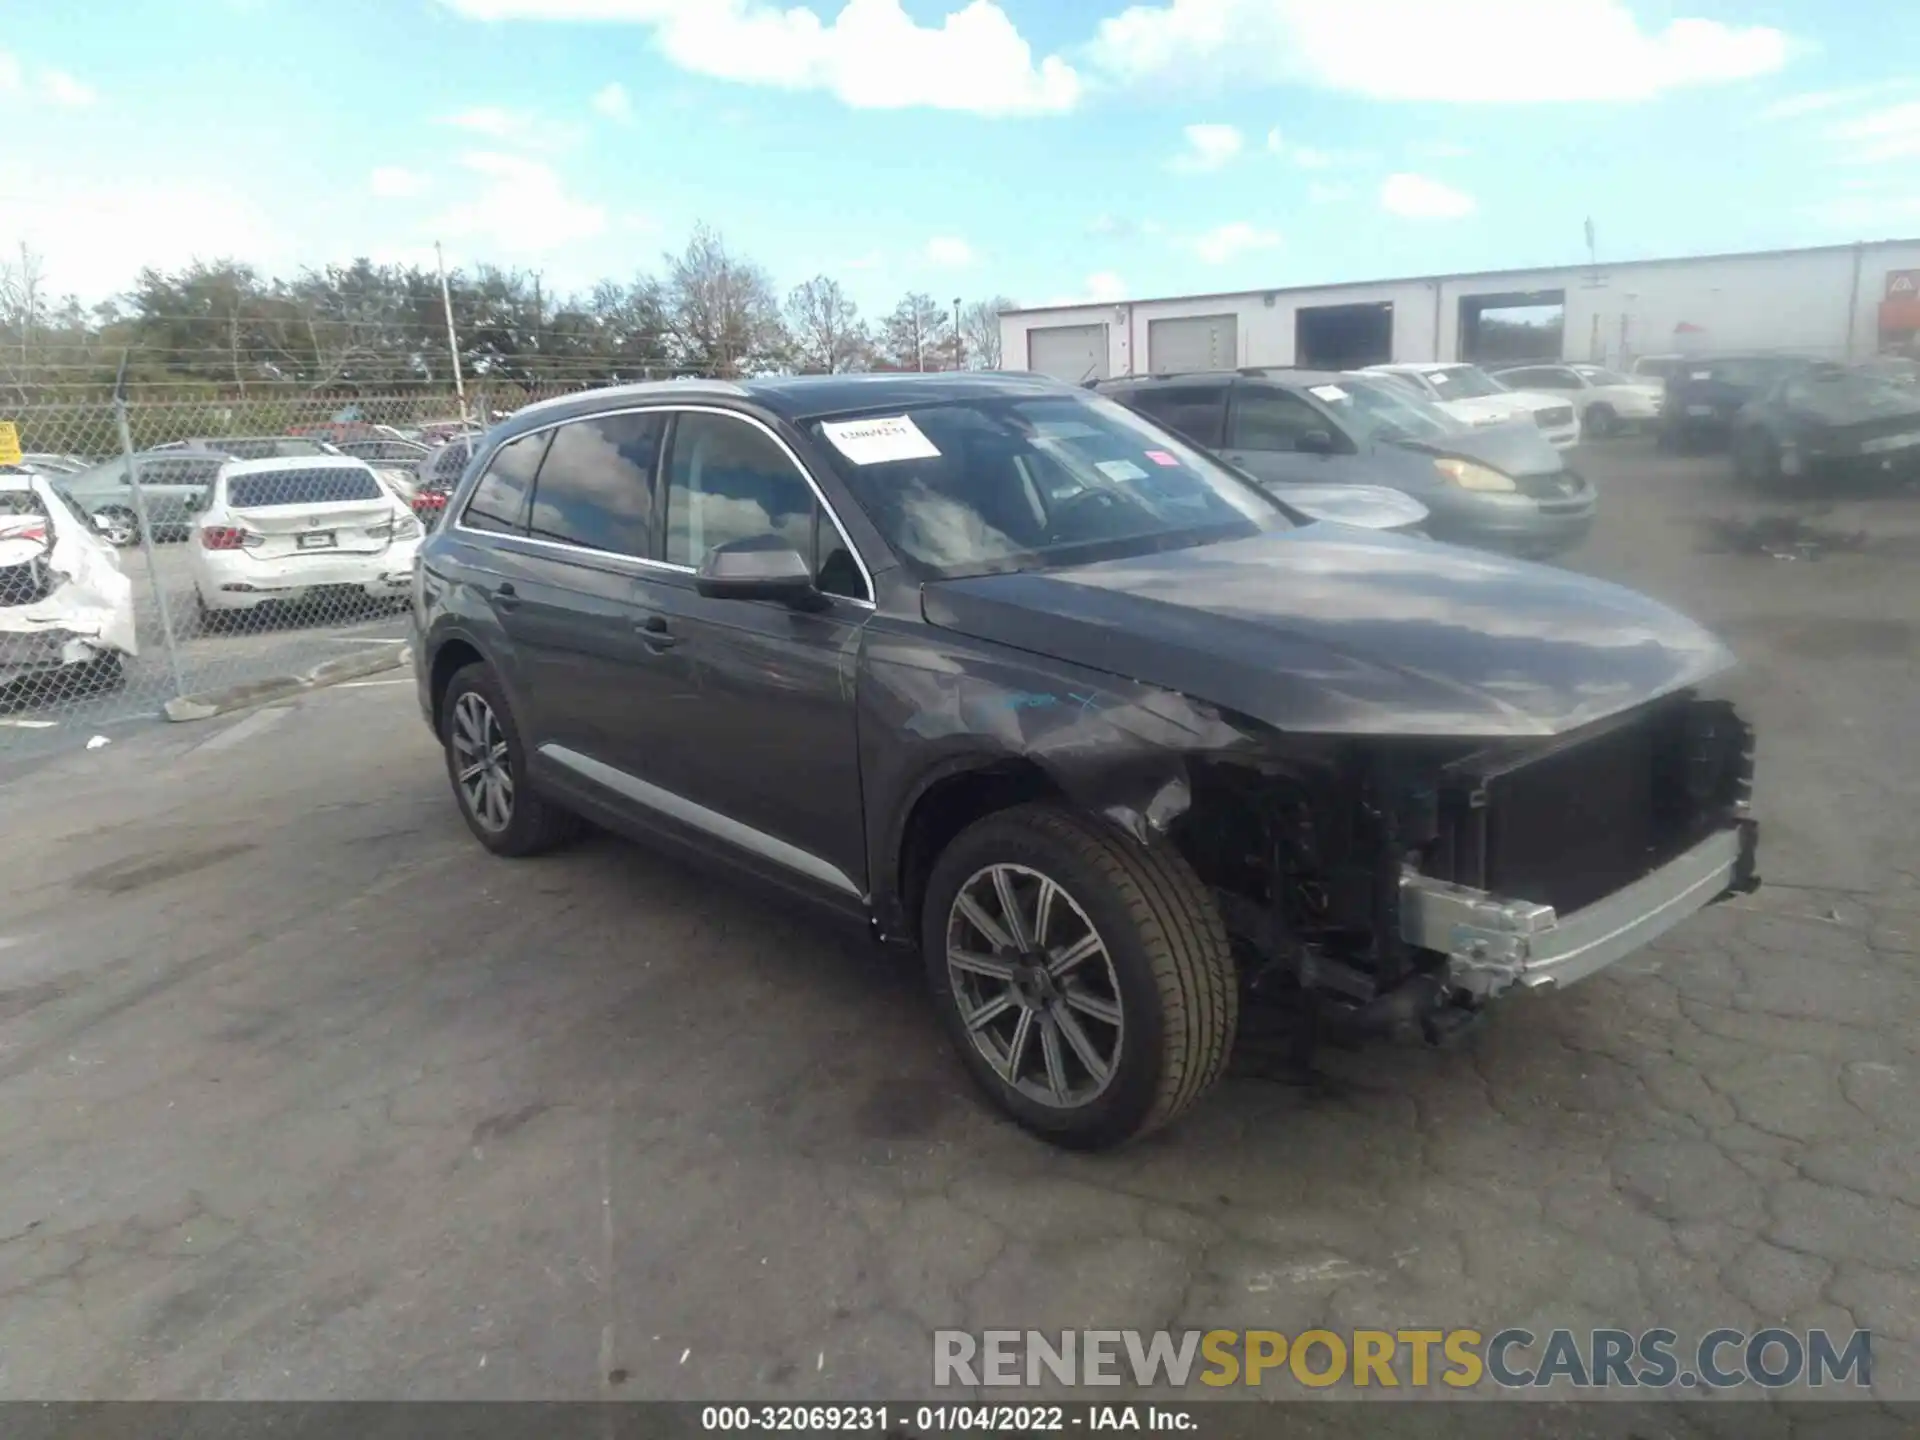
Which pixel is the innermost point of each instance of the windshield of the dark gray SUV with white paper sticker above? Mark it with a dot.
(1001, 485)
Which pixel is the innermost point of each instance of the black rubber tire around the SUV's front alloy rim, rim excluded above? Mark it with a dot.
(1170, 969)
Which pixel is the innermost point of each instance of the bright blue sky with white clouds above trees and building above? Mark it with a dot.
(1044, 151)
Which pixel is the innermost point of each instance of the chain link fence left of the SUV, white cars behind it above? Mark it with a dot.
(155, 552)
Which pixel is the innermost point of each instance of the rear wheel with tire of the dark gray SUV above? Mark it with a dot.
(487, 763)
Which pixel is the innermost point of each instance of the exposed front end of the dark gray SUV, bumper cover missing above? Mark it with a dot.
(1403, 886)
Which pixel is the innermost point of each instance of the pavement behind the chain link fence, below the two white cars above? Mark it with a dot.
(254, 648)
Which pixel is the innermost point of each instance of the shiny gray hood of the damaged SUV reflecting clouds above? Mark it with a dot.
(1349, 633)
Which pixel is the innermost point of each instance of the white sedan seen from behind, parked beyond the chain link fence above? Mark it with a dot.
(287, 531)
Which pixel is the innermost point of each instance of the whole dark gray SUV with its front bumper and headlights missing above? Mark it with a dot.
(1105, 732)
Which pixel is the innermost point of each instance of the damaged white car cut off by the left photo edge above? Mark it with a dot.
(66, 608)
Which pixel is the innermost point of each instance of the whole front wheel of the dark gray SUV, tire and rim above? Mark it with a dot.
(1086, 978)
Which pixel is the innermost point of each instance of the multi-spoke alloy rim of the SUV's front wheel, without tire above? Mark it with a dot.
(1036, 986)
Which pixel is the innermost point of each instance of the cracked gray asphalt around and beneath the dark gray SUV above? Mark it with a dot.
(304, 1095)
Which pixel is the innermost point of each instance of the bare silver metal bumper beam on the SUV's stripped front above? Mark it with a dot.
(1493, 944)
